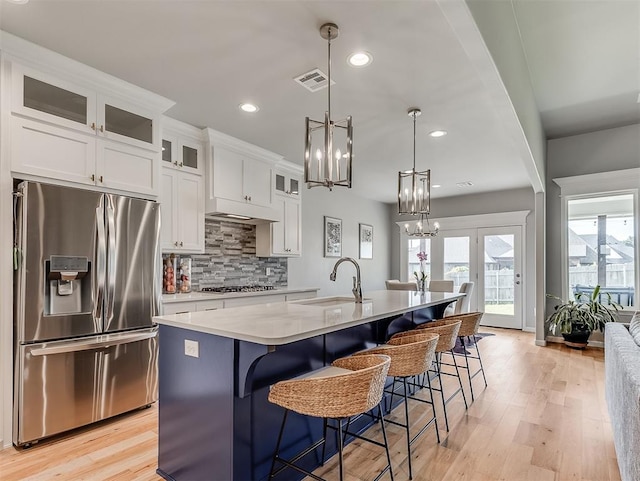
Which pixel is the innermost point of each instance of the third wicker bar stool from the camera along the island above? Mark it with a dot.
(448, 331)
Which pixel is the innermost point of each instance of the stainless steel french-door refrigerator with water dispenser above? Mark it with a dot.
(86, 288)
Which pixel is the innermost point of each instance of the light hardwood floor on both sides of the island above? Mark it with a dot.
(543, 417)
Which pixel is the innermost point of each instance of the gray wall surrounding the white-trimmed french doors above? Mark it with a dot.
(486, 203)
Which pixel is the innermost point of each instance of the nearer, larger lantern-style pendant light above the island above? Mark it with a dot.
(328, 144)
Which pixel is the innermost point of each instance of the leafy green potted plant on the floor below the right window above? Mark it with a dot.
(577, 319)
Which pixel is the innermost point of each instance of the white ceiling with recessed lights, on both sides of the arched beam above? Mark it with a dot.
(210, 56)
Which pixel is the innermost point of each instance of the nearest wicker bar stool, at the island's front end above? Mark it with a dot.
(349, 387)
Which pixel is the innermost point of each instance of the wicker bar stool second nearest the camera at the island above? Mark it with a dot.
(410, 356)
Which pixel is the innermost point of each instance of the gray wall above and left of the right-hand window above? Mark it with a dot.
(602, 151)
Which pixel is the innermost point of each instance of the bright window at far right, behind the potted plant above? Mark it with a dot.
(602, 246)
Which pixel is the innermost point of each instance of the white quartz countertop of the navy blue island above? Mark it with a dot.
(284, 322)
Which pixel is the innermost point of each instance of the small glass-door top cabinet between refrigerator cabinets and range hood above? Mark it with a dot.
(182, 146)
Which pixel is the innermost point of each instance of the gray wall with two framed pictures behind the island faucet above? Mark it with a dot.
(313, 269)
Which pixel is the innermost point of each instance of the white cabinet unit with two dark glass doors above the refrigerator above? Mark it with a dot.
(74, 132)
